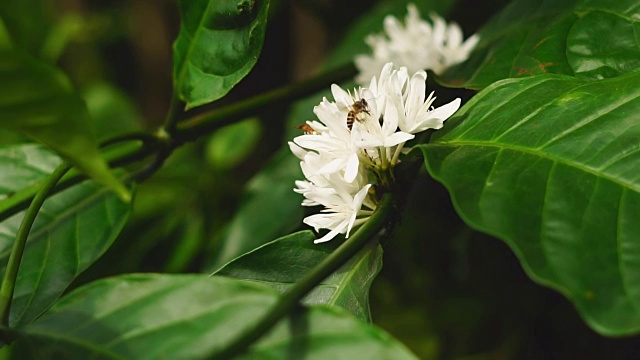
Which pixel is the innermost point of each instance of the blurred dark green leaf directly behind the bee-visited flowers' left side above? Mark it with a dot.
(269, 209)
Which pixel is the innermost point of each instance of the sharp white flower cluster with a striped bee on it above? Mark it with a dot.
(352, 150)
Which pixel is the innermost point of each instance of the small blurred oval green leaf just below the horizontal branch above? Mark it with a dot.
(233, 143)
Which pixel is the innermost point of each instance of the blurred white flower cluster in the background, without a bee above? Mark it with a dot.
(418, 45)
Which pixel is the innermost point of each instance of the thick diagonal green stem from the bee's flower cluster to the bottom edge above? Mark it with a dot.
(332, 263)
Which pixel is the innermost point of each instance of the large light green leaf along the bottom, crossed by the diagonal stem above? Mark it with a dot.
(152, 316)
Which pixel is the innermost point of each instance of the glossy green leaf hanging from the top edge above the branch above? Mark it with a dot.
(218, 44)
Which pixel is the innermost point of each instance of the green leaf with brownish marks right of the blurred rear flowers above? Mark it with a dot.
(527, 38)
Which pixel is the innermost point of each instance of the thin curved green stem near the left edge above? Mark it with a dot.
(11, 273)
